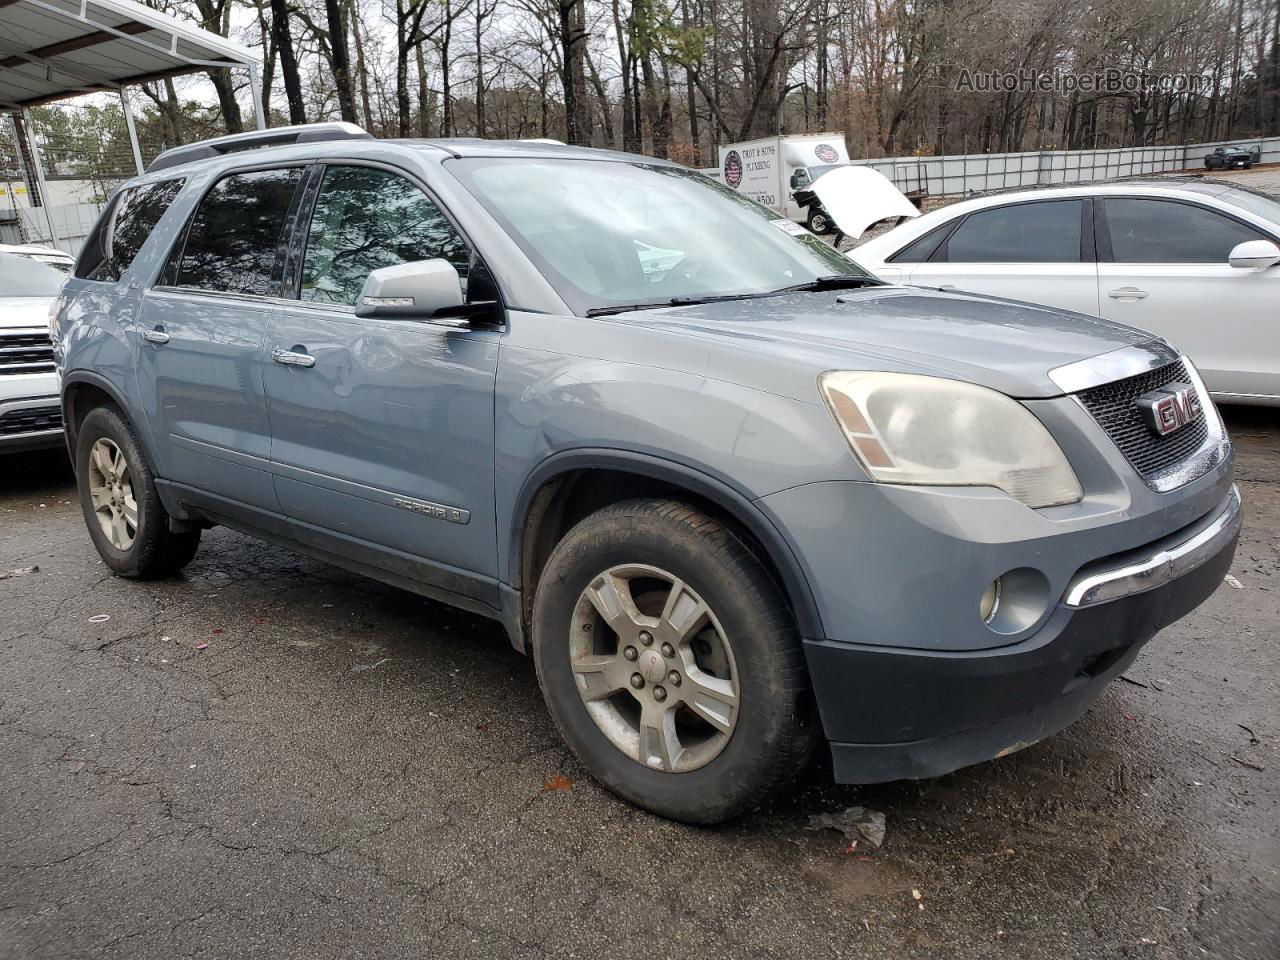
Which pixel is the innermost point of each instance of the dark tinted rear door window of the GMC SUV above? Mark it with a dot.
(234, 237)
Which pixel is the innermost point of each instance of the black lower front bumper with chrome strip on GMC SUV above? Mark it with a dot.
(908, 714)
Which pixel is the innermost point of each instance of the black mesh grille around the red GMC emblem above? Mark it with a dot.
(1117, 413)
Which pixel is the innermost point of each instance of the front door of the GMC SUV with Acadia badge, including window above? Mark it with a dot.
(382, 431)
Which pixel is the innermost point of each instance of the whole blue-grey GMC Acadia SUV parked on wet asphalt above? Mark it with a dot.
(733, 492)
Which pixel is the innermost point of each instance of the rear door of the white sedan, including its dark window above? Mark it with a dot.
(1040, 252)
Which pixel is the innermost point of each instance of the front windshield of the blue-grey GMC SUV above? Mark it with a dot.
(614, 234)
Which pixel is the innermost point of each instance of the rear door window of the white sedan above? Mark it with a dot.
(1026, 234)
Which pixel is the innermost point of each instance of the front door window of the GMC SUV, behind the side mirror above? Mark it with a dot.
(367, 220)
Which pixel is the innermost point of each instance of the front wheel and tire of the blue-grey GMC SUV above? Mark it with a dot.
(670, 662)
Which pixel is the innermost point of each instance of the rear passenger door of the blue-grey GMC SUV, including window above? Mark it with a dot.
(204, 328)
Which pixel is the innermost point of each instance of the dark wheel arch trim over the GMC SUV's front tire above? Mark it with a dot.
(574, 483)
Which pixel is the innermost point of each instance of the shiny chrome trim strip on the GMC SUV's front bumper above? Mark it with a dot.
(1160, 566)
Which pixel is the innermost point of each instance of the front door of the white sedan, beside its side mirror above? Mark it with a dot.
(1165, 269)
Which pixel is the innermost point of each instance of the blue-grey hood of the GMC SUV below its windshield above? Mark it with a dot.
(1002, 344)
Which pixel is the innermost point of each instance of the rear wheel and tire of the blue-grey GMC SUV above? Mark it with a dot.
(126, 519)
